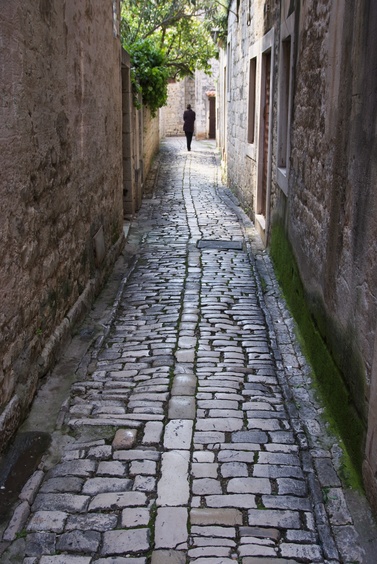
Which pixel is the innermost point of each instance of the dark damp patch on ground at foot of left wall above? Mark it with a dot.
(17, 465)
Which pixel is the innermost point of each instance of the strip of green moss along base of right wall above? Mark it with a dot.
(340, 408)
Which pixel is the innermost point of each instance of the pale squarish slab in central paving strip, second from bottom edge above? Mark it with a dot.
(171, 527)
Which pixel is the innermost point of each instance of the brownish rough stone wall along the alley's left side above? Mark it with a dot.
(61, 181)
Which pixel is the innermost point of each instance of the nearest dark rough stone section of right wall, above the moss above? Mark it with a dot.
(332, 187)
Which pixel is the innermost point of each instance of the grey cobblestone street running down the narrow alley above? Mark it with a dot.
(195, 434)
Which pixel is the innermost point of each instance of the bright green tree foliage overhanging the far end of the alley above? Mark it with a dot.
(169, 39)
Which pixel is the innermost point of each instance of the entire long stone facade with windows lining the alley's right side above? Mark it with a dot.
(297, 101)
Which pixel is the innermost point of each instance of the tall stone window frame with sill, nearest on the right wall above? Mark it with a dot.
(284, 107)
